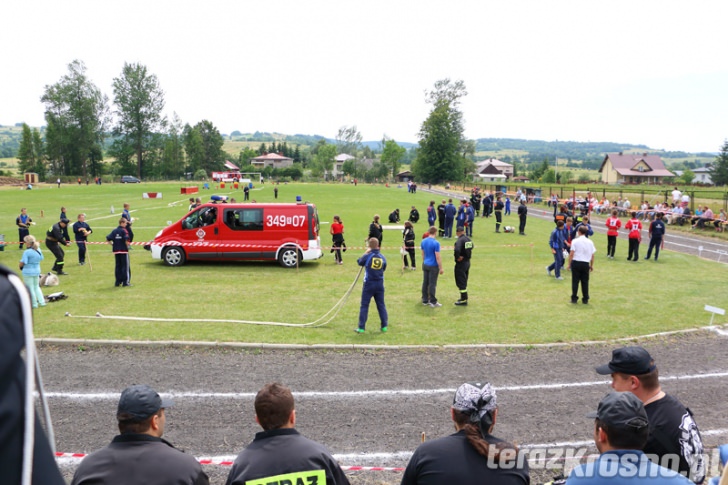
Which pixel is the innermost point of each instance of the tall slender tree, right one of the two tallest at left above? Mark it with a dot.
(139, 103)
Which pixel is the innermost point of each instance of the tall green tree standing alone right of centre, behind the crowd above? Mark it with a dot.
(441, 135)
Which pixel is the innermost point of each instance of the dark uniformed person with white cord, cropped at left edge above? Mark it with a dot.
(14, 374)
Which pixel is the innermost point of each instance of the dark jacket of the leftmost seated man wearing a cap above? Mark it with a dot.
(131, 459)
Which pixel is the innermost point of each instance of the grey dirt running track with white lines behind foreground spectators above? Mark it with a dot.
(337, 403)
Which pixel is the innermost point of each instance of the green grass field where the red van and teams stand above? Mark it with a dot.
(511, 298)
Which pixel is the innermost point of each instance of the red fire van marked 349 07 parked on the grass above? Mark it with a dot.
(287, 233)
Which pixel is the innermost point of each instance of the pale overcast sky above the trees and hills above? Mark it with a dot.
(644, 72)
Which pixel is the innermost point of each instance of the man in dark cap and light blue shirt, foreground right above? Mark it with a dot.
(620, 431)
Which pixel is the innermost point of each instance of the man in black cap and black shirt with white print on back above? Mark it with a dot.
(674, 439)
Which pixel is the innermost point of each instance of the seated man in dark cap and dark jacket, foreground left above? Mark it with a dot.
(139, 454)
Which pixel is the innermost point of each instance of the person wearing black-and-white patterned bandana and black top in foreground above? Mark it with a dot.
(472, 455)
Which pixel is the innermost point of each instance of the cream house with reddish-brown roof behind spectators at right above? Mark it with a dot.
(633, 168)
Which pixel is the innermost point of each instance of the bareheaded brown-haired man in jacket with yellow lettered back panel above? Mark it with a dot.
(279, 454)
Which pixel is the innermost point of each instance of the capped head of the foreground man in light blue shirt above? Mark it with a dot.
(622, 417)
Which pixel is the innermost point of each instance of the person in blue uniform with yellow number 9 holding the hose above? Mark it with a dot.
(375, 264)
